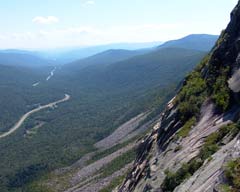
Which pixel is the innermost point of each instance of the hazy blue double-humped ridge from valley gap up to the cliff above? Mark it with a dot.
(202, 42)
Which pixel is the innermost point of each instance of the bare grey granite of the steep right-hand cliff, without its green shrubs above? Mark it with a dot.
(161, 150)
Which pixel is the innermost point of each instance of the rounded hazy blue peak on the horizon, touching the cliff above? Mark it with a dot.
(201, 42)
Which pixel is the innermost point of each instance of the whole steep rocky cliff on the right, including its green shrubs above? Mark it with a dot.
(198, 133)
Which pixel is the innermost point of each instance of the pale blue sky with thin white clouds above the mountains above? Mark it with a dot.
(44, 24)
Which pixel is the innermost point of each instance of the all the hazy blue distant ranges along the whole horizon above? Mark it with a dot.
(121, 51)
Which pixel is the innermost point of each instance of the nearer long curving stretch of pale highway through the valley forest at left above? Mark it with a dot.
(26, 115)
